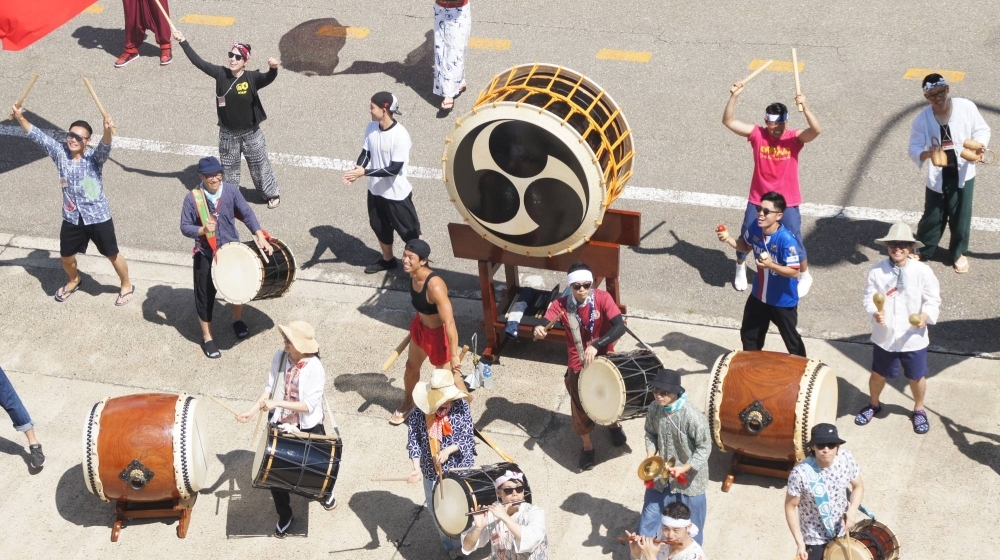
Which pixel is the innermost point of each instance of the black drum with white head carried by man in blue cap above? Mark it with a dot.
(241, 274)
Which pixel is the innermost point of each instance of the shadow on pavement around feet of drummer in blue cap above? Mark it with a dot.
(174, 307)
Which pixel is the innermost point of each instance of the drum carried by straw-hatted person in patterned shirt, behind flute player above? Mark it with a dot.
(461, 491)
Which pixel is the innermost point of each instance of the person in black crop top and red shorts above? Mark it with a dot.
(433, 334)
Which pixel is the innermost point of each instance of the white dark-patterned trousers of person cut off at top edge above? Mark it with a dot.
(452, 27)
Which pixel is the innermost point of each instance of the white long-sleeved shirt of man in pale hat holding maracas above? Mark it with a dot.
(921, 294)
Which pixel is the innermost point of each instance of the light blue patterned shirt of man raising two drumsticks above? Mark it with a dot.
(81, 180)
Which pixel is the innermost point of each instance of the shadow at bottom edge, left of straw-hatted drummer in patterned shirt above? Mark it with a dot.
(396, 516)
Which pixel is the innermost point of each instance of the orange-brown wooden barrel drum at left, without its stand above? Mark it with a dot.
(145, 448)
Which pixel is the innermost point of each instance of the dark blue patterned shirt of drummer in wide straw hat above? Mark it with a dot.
(462, 435)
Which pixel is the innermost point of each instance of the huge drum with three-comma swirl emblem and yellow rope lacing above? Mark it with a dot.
(542, 154)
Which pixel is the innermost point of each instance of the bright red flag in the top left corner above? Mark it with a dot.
(22, 22)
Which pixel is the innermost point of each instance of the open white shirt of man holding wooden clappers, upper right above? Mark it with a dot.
(965, 123)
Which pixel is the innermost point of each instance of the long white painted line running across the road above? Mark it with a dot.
(631, 193)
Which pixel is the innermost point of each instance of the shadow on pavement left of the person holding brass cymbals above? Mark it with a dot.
(603, 513)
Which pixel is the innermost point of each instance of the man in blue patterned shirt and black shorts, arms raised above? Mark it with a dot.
(86, 213)
